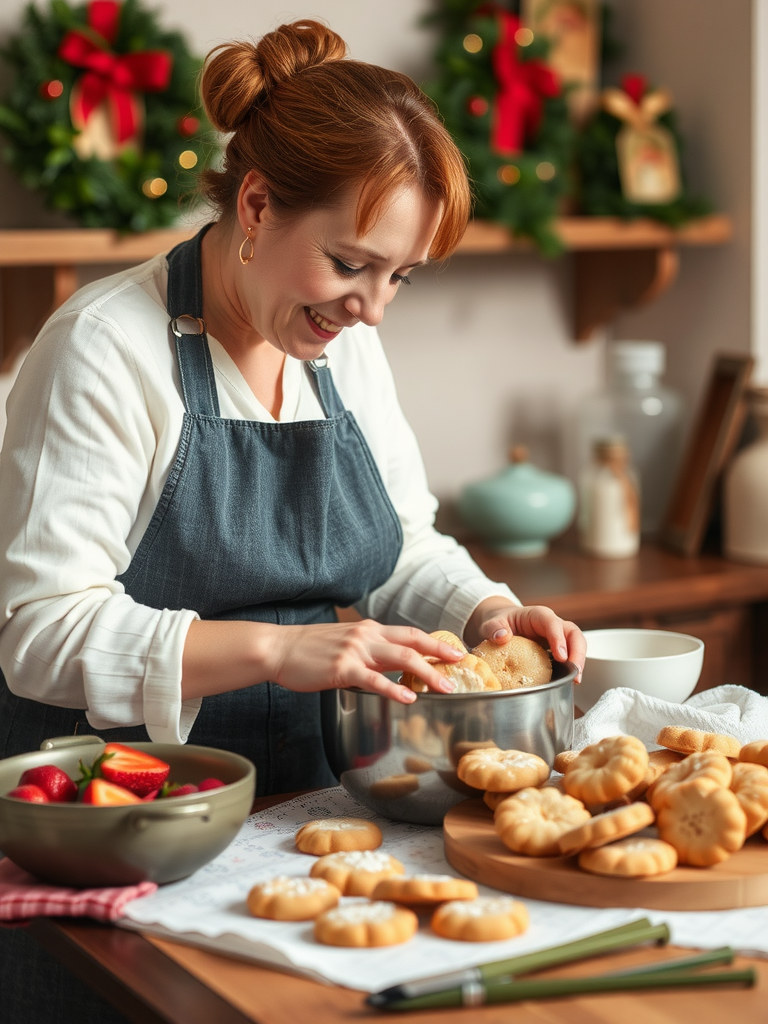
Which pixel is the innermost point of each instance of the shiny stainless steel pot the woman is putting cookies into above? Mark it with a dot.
(400, 760)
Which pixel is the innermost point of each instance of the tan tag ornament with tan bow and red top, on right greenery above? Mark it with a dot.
(647, 151)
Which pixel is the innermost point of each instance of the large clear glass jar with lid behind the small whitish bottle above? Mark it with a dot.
(648, 414)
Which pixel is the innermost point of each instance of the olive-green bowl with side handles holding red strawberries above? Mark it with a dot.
(159, 841)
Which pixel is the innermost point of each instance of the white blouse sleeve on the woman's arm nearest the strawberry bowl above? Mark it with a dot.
(72, 477)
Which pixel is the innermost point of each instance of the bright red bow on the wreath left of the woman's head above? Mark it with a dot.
(112, 76)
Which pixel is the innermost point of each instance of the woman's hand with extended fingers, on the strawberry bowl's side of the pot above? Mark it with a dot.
(338, 656)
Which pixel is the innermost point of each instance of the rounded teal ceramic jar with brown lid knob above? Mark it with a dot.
(519, 511)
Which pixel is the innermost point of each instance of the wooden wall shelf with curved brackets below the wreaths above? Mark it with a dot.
(617, 265)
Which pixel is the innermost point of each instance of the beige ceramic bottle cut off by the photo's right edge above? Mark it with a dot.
(746, 492)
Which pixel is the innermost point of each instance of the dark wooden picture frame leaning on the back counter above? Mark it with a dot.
(713, 440)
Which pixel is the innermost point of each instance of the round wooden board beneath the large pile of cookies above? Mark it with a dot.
(474, 848)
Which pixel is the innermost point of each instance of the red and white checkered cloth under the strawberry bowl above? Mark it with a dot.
(23, 895)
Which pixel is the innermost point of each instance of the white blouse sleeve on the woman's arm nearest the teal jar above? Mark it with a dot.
(436, 584)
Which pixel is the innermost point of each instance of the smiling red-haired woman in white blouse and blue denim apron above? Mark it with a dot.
(197, 499)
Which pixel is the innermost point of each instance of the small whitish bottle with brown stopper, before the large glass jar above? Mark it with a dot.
(610, 502)
